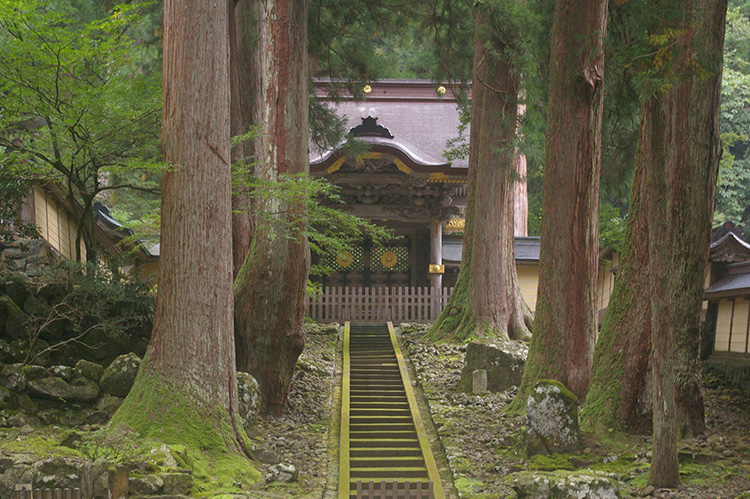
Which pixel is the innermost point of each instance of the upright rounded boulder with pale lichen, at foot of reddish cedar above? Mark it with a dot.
(552, 420)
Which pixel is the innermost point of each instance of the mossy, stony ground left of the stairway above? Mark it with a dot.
(299, 437)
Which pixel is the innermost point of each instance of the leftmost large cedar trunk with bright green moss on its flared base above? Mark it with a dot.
(186, 388)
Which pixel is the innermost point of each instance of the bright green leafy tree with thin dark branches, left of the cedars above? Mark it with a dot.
(78, 108)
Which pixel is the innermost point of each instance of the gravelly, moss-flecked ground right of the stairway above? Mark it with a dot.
(484, 445)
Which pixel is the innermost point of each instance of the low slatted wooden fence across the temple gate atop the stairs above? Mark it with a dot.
(397, 304)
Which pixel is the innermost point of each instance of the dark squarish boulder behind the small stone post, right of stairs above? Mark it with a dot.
(503, 361)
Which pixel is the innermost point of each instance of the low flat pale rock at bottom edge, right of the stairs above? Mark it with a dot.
(565, 485)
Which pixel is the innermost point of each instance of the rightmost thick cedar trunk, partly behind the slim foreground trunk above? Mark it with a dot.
(692, 183)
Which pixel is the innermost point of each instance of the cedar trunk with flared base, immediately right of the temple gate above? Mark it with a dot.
(487, 298)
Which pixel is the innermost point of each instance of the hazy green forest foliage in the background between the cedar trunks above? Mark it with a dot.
(359, 43)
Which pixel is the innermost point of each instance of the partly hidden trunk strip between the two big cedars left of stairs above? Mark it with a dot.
(245, 32)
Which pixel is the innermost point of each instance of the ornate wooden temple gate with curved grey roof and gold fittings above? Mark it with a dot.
(405, 182)
